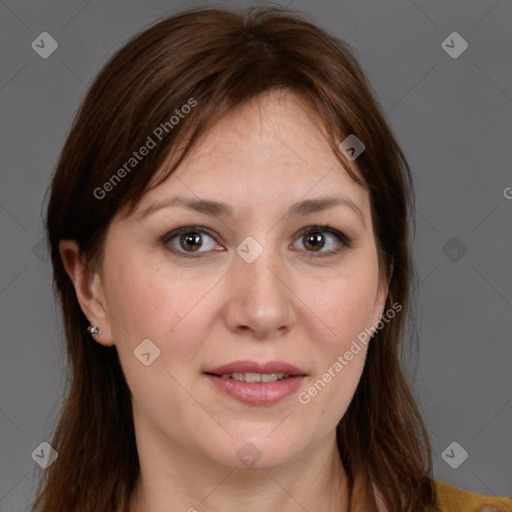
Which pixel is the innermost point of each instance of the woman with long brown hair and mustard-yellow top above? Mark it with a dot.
(229, 232)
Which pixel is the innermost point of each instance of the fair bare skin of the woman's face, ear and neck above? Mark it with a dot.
(290, 304)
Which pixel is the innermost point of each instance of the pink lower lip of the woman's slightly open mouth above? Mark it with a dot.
(258, 393)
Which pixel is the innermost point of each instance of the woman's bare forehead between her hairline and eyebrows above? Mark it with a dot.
(272, 149)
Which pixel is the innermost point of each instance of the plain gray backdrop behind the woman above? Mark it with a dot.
(452, 118)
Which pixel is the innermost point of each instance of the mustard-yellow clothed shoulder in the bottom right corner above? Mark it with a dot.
(453, 499)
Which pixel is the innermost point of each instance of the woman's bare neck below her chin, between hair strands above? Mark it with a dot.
(184, 481)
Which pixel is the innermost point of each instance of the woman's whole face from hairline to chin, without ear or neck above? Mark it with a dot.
(254, 282)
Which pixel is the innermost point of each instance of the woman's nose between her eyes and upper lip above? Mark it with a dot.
(260, 300)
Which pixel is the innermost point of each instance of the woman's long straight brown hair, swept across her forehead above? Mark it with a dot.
(219, 59)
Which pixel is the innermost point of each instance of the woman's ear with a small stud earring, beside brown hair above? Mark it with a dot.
(89, 290)
